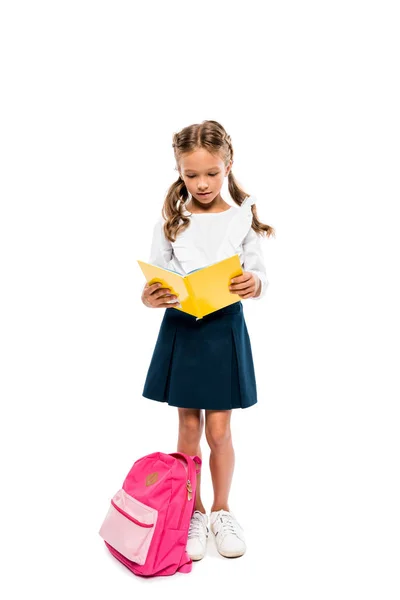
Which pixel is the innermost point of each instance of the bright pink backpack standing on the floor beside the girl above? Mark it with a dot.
(146, 527)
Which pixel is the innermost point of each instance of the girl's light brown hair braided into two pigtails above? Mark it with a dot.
(211, 136)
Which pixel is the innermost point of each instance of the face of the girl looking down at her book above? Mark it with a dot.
(203, 174)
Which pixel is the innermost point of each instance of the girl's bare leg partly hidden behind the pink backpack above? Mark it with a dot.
(191, 424)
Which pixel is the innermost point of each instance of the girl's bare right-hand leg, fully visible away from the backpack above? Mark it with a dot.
(222, 456)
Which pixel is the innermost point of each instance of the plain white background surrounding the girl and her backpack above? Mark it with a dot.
(92, 93)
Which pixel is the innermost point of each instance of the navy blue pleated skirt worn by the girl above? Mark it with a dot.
(205, 363)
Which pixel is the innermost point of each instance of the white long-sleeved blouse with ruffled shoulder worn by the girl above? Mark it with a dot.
(209, 238)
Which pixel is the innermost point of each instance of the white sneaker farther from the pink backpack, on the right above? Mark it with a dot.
(228, 533)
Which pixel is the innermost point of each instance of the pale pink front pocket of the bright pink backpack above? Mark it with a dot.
(129, 526)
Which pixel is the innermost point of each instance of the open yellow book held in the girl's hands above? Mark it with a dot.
(201, 291)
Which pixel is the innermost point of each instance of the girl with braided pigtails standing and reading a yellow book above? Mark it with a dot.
(206, 363)
